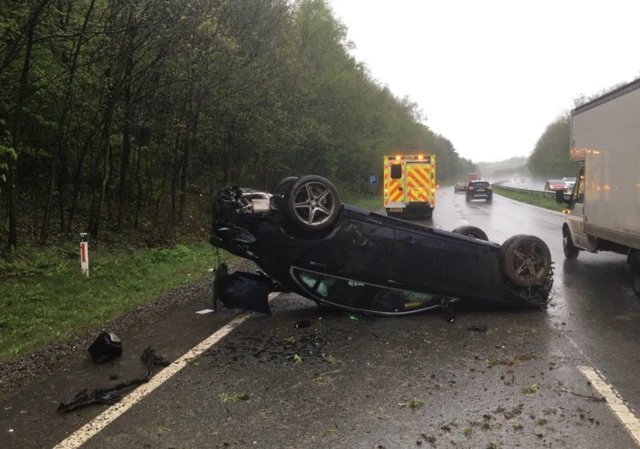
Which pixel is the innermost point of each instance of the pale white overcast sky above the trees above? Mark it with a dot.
(490, 75)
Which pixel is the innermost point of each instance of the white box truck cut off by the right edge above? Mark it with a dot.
(604, 208)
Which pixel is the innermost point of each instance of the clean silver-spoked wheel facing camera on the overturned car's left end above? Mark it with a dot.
(313, 203)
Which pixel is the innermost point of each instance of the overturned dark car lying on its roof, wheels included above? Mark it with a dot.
(306, 241)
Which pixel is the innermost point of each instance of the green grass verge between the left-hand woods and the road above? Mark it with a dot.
(44, 298)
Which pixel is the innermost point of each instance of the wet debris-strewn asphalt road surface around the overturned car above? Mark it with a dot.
(355, 384)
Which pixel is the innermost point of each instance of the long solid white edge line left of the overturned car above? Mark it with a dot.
(96, 425)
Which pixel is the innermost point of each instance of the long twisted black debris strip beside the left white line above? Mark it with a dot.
(111, 395)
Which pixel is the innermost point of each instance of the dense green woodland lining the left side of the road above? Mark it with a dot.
(129, 114)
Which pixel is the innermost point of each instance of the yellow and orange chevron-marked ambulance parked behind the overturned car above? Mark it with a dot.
(410, 184)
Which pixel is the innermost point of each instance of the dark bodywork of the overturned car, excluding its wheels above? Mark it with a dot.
(365, 253)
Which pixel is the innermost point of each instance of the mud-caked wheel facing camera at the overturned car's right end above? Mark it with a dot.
(526, 260)
